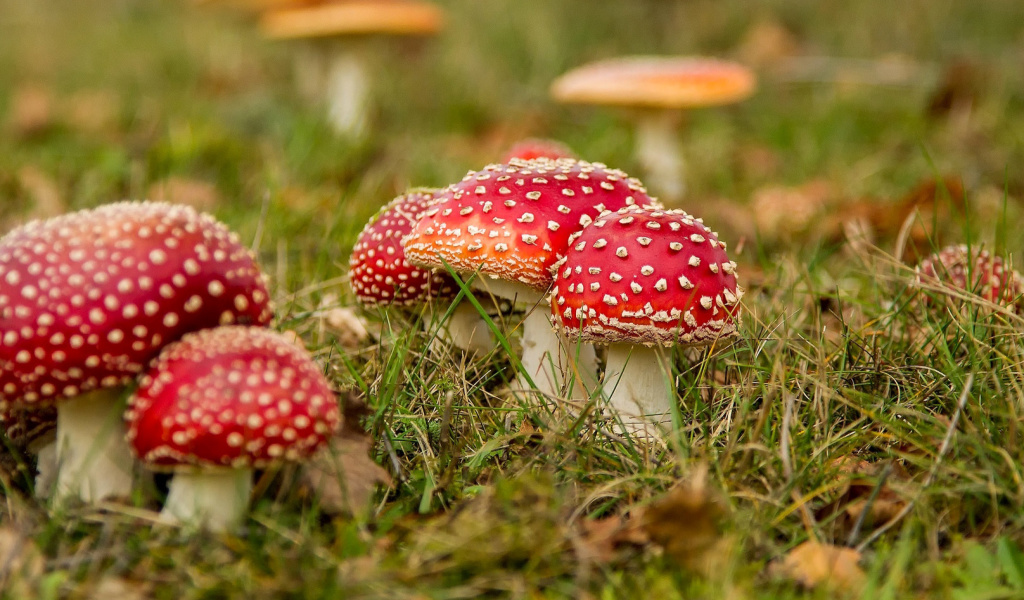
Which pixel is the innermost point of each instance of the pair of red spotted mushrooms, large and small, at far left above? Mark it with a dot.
(162, 296)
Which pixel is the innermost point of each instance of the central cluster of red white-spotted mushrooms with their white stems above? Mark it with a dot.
(590, 256)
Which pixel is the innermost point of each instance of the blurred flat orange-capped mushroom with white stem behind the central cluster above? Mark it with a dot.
(659, 88)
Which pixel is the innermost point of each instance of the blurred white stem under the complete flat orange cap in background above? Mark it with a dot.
(658, 152)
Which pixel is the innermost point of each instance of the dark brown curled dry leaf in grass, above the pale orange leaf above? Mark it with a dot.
(859, 482)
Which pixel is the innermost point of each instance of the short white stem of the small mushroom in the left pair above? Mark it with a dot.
(212, 500)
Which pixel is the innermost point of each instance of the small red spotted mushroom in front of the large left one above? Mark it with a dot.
(220, 404)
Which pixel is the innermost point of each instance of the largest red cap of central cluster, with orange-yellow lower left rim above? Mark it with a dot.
(514, 222)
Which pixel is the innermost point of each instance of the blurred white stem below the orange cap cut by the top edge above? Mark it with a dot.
(348, 90)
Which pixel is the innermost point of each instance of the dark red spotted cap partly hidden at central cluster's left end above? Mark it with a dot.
(379, 273)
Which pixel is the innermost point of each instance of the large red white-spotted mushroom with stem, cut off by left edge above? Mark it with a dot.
(89, 298)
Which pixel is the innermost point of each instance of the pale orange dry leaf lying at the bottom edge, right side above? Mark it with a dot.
(814, 565)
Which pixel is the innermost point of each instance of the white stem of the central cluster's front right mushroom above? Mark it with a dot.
(639, 387)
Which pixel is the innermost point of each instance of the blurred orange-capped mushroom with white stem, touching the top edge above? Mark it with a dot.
(337, 64)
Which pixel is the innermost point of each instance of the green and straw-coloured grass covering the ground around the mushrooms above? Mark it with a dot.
(840, 358)
